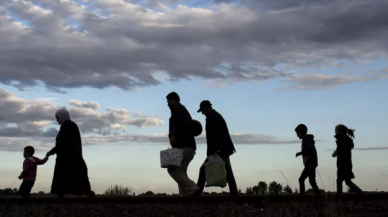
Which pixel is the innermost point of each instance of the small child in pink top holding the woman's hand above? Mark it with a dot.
(29, 171)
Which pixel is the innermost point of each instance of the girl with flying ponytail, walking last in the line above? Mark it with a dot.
(344, 158)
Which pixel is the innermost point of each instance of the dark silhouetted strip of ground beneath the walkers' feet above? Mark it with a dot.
(276, 205)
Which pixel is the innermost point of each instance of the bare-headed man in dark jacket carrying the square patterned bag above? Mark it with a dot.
(181, 136)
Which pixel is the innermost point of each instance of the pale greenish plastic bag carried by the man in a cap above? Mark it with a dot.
(215, 172)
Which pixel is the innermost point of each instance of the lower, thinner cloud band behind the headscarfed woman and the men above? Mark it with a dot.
(32, 122)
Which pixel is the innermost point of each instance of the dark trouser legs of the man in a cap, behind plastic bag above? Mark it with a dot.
(229, 176)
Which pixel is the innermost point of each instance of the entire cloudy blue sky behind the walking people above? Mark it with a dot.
(265, 65)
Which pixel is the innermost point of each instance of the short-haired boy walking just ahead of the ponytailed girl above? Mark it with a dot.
(310, 159)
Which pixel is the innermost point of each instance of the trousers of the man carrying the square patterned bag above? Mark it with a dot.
(185, 184)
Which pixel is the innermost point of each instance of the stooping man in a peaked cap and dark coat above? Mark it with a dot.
(218, 142)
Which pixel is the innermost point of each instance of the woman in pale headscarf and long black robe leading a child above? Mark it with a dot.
(71, 172)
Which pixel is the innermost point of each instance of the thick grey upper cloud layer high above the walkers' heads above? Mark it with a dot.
(62, 44)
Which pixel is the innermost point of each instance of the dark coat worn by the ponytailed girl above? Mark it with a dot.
(344, 157)
